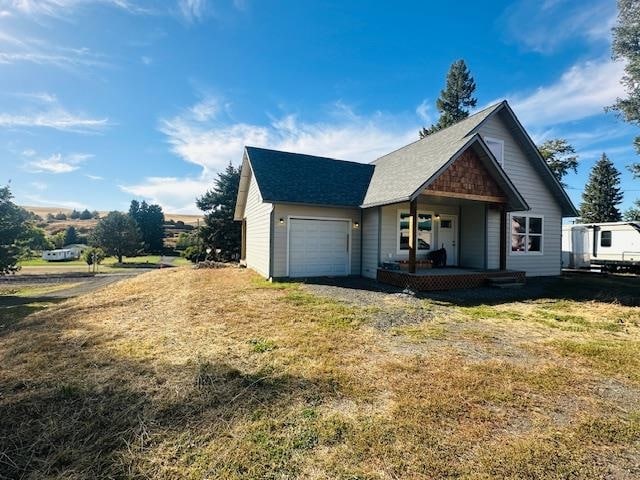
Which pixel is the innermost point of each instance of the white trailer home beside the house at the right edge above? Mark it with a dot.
(611, 246)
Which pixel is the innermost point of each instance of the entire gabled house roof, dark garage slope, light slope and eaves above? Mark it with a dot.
(399, 176)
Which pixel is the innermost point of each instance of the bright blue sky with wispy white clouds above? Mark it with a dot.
(102, 101)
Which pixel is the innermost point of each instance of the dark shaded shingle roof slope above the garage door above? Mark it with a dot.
(297, 178)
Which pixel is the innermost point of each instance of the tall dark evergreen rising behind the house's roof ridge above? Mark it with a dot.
(456, 98)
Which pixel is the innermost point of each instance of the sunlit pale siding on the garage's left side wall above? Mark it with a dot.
(258, 219)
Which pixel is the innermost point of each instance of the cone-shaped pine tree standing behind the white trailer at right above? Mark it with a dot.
(602, 194)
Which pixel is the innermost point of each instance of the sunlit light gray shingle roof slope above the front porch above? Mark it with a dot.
(399, 174)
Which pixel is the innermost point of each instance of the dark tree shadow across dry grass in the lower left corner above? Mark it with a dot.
(90, 415)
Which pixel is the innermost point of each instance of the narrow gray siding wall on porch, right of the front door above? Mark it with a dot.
(472, 235)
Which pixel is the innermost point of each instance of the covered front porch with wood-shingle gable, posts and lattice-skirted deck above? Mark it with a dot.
(453, 232)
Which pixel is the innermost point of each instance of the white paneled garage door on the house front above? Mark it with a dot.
(318, 248)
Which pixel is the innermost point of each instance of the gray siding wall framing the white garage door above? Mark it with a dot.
(280, 232)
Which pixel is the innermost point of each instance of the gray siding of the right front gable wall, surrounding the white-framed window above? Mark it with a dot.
(541, 201)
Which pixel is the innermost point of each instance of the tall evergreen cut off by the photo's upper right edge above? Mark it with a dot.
(626, 47)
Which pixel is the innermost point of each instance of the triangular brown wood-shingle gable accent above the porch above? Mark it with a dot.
(467, 178)
